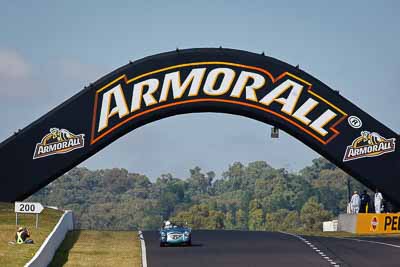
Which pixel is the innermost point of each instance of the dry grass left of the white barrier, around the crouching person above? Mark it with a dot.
(18, 255)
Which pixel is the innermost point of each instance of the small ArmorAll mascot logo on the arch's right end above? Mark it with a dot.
(369, 145)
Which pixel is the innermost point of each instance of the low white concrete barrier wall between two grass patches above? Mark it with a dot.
(49, 247)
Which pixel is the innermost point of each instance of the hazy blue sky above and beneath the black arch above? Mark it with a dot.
(50, 50)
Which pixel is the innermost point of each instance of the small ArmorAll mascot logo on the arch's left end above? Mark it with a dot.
(58, 141)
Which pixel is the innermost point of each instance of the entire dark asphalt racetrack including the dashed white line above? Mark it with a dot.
(253, 249)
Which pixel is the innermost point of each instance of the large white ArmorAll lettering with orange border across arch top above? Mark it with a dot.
(286, 96)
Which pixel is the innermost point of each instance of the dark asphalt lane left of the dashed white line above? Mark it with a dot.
(233, 248)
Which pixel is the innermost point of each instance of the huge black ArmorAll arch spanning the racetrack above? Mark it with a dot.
(200, 80)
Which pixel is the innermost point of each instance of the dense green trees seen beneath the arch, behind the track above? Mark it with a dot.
(252, 197)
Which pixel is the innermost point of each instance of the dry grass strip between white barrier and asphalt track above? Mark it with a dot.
(99, 248)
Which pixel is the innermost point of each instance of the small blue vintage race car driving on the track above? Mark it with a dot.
(175, 234)
